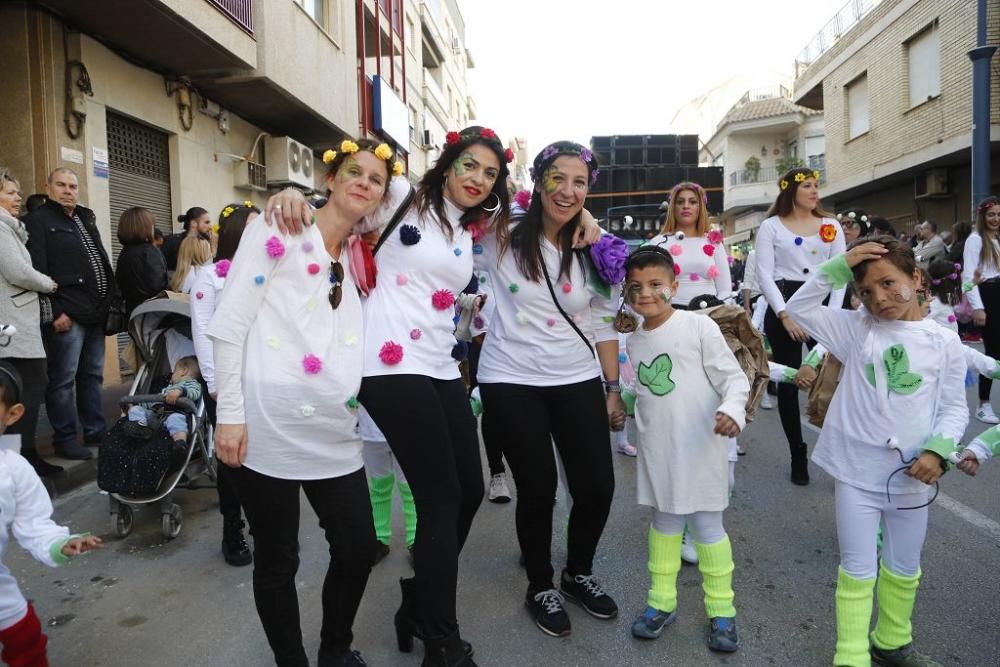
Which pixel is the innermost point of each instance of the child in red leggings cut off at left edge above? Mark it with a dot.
(26, 510)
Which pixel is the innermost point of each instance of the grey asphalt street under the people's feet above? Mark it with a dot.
(144, 600)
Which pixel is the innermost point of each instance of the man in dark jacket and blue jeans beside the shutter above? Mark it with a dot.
(64, 243)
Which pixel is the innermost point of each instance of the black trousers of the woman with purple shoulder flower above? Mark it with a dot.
(528, 420)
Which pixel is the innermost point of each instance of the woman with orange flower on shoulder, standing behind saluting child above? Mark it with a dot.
(796, 237)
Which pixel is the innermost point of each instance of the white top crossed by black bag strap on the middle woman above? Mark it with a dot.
(529, 341)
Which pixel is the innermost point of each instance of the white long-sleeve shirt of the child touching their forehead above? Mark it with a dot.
(903, 383)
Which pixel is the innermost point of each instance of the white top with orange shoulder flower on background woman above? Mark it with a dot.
(782, 255)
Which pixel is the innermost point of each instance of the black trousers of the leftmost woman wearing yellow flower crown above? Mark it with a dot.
(345, 515)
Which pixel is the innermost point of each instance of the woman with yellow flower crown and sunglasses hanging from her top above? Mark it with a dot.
(286, 337)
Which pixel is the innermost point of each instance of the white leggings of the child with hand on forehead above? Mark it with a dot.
(858, 515)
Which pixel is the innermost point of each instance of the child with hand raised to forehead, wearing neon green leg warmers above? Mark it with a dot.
(907, 375)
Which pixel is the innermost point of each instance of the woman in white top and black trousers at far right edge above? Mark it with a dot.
(982, 254)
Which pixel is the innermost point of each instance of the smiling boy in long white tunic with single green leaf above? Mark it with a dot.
(690, 398)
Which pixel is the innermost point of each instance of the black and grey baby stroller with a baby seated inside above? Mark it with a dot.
(138, 472)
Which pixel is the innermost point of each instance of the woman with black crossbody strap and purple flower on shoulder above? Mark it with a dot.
(540, 377)
